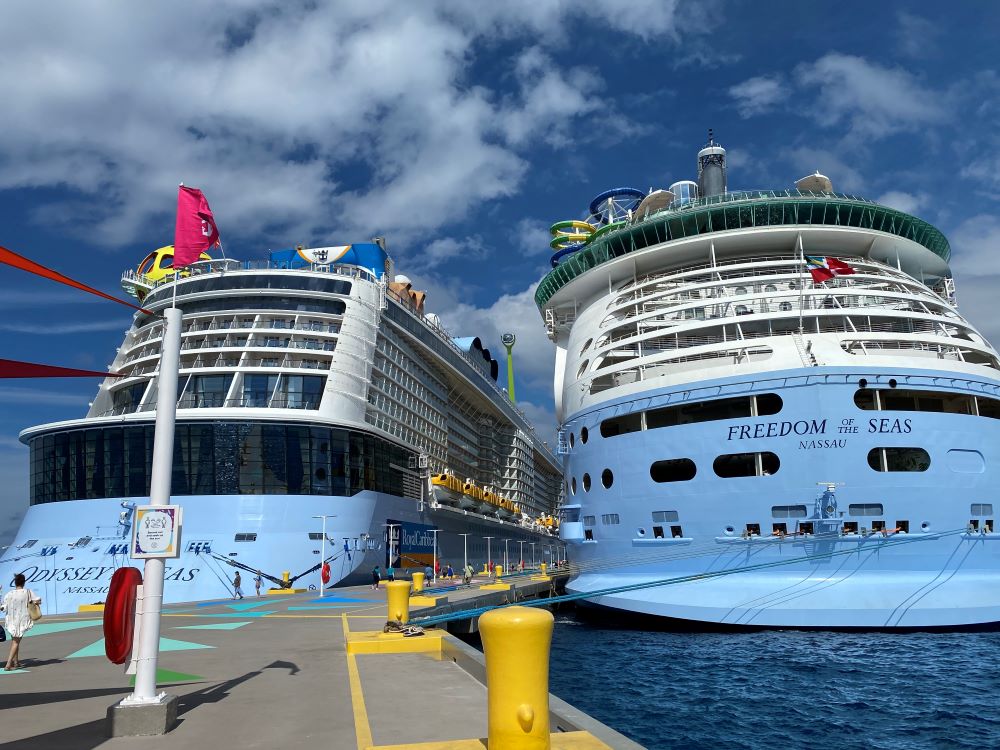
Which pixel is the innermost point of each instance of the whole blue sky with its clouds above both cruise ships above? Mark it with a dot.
(460, 131)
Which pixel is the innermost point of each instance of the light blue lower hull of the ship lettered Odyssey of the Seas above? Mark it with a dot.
(78, 546)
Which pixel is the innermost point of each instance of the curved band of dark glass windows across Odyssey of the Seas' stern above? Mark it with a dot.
(215, 458)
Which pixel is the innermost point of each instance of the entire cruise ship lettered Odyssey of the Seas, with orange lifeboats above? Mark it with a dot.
(312, 383)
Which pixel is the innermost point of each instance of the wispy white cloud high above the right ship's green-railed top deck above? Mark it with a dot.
(874, 101)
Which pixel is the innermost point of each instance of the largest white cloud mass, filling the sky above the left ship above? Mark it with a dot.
(297, 120)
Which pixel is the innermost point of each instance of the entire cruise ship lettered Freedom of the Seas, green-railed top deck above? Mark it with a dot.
(772, 413)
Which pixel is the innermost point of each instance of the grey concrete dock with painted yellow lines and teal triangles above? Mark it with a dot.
(280, 670)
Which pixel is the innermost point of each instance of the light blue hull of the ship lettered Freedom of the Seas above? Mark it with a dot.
(939, 572)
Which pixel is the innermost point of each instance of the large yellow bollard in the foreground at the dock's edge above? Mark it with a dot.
(516, 643)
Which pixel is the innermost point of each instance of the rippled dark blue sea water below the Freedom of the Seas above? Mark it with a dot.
(782, 689)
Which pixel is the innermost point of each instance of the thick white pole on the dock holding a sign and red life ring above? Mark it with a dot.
(159, 494)
